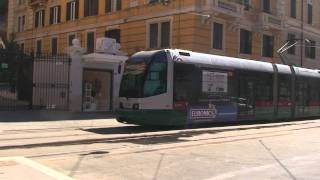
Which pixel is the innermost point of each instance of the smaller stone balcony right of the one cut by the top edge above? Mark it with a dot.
(272, 22)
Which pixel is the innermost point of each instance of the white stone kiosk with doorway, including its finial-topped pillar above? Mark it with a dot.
(95, 78)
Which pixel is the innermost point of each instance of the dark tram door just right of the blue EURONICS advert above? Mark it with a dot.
(246, 98)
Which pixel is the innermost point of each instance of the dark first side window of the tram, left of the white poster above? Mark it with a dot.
(186, 83)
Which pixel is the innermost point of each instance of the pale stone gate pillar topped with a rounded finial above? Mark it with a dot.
(76, 69)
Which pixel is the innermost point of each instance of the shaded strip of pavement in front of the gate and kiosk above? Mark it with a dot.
(29, 116)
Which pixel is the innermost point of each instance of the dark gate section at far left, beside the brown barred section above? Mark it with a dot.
(15, 81)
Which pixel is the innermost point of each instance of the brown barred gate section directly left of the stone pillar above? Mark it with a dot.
(51, 82)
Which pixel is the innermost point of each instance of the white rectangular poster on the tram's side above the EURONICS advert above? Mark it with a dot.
(214, 82)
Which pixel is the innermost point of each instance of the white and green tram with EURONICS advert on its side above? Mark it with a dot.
(173, 87)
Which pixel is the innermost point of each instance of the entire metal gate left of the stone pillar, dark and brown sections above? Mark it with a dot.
(34, 82)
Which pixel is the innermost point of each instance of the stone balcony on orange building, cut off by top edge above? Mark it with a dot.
(227, 8)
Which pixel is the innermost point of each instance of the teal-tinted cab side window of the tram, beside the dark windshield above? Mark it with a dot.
(156, 80)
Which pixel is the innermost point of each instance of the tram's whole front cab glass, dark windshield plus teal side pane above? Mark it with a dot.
(144, 76)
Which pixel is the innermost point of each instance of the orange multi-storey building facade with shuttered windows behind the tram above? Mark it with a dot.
(251, 29)
